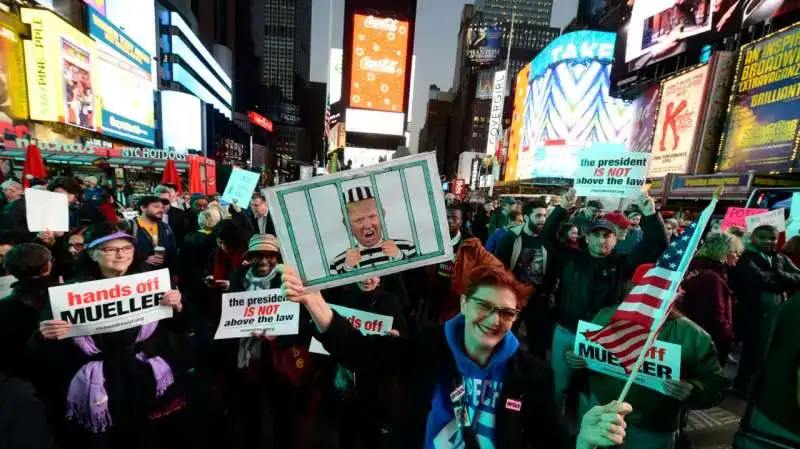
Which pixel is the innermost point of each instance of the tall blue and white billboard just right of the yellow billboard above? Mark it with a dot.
(125, 104)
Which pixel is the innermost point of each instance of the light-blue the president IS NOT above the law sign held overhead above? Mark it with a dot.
(611, 173)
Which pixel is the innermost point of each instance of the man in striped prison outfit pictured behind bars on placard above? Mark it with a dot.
(365, 224)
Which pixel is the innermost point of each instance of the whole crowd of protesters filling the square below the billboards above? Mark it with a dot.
(500, 318)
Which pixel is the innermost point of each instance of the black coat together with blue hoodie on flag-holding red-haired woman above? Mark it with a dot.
(430, 360)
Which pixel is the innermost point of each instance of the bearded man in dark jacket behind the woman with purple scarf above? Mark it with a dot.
(151, 232)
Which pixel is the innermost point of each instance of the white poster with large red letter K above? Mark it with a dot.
(682, 100)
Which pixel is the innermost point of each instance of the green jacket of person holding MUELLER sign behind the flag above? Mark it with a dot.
(652, 410)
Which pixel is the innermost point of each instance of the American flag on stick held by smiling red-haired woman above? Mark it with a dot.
(644, 309)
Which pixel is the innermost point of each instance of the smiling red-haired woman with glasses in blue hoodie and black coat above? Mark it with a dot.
(472, 385)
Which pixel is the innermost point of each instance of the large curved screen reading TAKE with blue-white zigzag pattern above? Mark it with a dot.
(568, 95)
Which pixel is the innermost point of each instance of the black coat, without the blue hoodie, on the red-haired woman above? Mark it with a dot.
(422, 360)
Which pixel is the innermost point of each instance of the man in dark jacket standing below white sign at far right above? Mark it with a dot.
(760, 282)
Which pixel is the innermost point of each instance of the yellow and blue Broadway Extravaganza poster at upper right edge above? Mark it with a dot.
(764, 112)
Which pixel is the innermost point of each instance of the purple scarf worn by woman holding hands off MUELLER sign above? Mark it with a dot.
(87, 399)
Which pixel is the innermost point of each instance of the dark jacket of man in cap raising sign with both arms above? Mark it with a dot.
(587, 283)
